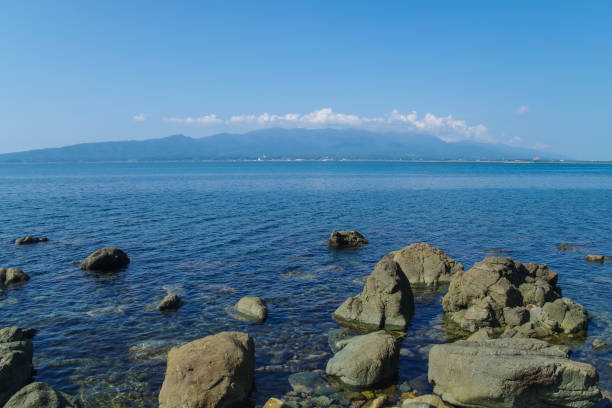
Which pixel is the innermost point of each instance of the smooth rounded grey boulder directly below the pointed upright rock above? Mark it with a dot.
(366, 360)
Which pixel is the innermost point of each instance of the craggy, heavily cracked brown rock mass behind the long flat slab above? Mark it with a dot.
(501, 293)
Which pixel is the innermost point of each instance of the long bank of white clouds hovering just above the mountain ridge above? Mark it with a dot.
(446, 127)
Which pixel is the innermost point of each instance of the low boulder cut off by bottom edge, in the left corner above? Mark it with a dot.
(40, 395)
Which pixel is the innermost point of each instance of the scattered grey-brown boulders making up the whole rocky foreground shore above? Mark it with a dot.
(503, 309)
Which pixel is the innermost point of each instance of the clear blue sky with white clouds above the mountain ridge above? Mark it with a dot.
(533, 74)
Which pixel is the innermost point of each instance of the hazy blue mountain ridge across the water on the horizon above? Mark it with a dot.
(281, 144)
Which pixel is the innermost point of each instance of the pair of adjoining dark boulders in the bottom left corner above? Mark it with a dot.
(16, 389)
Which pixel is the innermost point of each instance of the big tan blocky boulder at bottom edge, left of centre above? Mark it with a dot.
(213, 372)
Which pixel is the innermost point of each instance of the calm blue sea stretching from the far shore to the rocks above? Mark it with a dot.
(214, 232)
